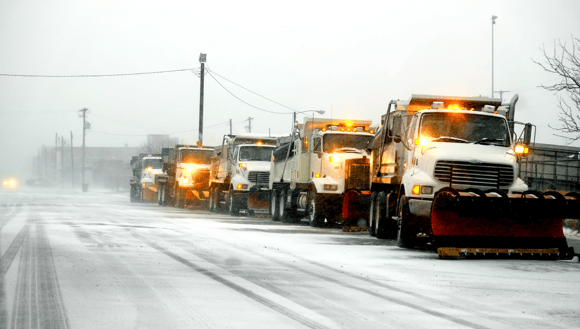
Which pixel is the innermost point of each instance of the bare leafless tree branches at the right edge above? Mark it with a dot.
(565, 62)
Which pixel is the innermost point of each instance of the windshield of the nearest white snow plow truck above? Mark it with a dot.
(465, 128)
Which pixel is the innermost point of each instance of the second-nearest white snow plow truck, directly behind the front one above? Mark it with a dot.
(315, 167)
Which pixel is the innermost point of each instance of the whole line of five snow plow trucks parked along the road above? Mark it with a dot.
(438, 171)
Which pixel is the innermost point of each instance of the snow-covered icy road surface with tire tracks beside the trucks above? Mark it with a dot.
(95, 260)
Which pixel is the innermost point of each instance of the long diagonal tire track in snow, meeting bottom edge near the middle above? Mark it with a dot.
(246, 292)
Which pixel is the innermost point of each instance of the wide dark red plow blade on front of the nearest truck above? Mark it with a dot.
(474, 222)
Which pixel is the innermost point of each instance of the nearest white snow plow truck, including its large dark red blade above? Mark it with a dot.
(444, 171)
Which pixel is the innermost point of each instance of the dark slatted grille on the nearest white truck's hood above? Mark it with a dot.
(475, 174)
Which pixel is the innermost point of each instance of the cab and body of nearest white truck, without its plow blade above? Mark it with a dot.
(430, 143)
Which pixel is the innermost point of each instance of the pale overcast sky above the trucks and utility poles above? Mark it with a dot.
(346, 58)
